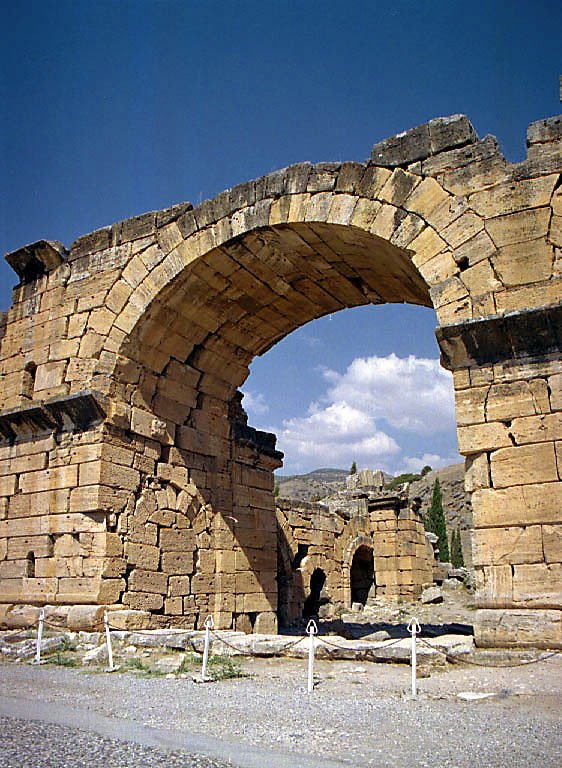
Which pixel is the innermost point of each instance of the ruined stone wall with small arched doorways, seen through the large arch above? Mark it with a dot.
(312, 536)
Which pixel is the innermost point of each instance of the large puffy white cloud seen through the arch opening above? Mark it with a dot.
(412, 395)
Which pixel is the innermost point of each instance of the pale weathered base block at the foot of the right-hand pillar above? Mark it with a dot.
(501, 628)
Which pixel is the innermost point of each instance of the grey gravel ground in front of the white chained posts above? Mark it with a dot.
(357, 715)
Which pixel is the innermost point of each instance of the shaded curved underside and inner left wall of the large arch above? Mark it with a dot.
(181, 367)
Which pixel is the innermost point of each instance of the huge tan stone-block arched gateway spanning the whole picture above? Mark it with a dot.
(127, 468)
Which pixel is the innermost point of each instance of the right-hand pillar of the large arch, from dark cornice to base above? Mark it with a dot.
(508, 376)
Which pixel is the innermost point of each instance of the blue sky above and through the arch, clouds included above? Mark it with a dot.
(112, 108)
